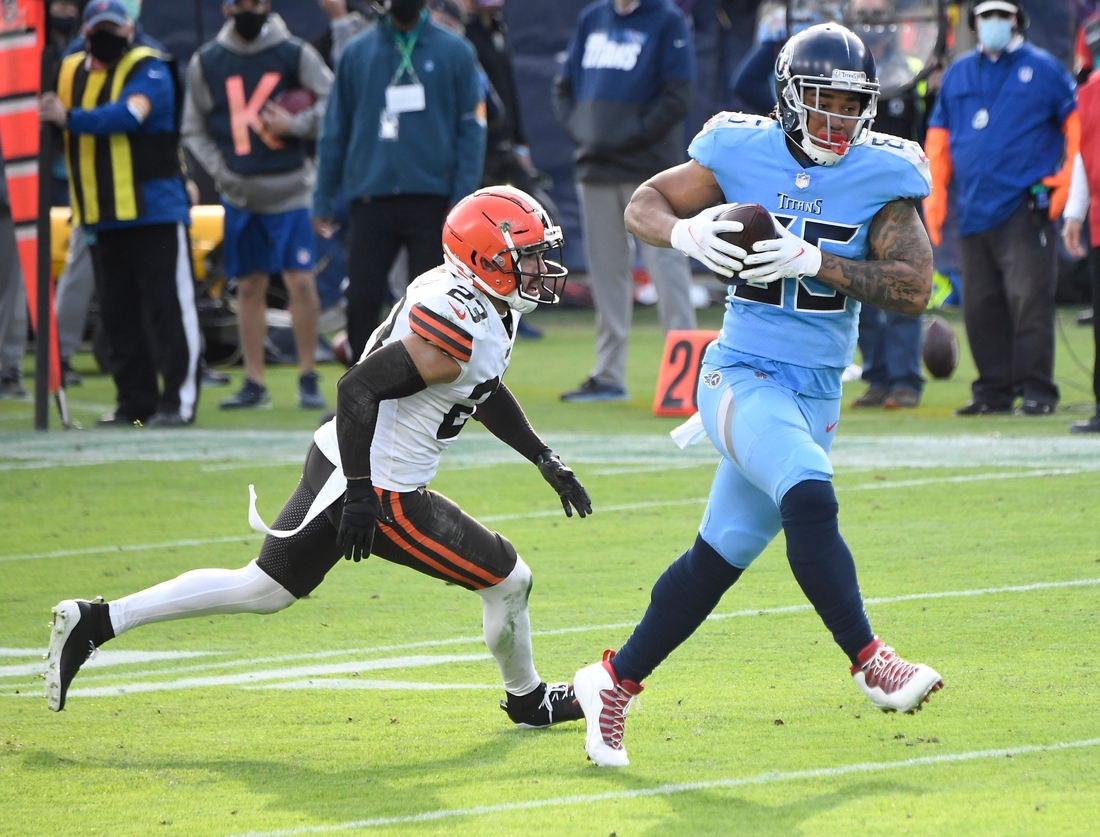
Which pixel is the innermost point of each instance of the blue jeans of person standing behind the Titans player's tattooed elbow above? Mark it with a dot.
(892, 347)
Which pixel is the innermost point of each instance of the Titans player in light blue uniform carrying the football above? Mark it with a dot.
(844, 204)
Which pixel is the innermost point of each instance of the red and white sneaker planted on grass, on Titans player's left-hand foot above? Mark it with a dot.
(606, 700)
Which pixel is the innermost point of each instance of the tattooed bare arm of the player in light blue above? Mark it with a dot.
(898, 272)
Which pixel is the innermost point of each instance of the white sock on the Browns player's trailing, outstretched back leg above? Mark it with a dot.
(202, 593)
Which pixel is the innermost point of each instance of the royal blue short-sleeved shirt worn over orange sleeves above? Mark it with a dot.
(1027, 96)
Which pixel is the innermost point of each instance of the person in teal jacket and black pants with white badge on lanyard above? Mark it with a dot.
(404, 135)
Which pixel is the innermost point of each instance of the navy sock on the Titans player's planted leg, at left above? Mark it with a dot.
(683, 599)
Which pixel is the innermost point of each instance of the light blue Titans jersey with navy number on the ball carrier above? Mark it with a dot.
(800, 332)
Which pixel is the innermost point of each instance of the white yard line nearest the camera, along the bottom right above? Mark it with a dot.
(668, 790)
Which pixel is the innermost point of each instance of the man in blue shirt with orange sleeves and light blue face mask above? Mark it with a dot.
(997, 129)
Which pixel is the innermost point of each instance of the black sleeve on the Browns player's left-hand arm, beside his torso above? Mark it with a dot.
(386, 373)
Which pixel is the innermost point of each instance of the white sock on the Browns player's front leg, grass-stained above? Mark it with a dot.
(508, 627)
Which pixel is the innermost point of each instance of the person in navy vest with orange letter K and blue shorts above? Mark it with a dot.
(256, 152)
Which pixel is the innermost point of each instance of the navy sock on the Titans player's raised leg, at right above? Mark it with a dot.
(823, 565)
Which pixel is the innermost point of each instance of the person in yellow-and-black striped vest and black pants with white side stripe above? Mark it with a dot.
(119, 107)
